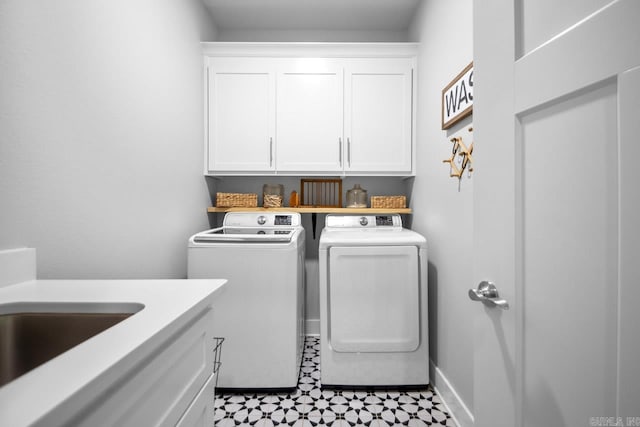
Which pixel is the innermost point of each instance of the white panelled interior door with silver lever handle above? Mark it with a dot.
(556, 122)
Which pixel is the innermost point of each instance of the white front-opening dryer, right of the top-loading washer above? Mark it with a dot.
(373, 303)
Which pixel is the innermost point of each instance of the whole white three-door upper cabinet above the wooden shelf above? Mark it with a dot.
(309, 109)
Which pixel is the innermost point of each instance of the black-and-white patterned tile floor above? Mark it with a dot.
(309, 406)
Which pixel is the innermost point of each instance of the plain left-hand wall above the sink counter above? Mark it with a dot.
(101, 134)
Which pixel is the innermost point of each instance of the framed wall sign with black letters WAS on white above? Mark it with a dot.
(457, 98)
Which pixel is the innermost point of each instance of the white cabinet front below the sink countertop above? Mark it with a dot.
(173, 386)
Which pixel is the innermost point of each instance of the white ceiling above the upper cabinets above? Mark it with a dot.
(332, 15)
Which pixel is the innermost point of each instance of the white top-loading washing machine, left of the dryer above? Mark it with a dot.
(261, 313)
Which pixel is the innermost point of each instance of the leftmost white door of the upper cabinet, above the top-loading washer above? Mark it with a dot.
(241, 115)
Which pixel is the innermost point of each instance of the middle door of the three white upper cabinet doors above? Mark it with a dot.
(310, 116)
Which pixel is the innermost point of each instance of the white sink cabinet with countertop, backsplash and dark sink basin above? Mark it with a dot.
(146, 357)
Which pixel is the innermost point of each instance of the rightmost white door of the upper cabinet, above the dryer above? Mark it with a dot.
(378, 115)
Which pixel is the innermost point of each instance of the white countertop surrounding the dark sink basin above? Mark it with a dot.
(79, 375)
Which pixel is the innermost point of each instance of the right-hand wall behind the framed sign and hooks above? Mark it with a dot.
(443, 208)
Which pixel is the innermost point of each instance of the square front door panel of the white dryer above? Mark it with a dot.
(374, 299)
